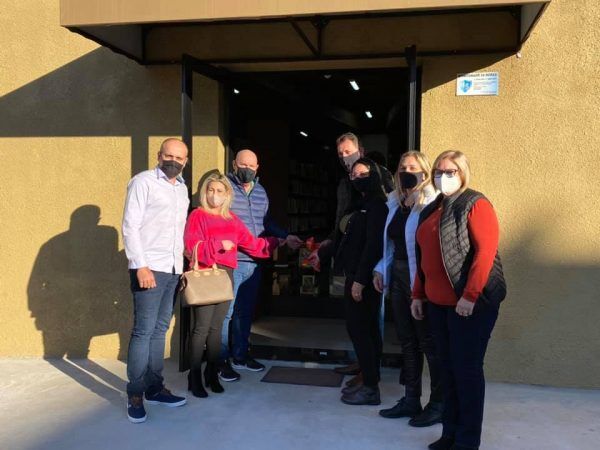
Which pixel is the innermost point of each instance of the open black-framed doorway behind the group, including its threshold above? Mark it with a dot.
(291, 120)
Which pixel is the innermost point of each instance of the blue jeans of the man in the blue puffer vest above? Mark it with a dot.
(238, 321)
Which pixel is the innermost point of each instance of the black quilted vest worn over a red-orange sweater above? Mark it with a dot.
(457, 252)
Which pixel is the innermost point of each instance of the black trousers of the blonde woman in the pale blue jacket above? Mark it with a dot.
(414, 335)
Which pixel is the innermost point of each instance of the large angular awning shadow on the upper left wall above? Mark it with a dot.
(98, 94)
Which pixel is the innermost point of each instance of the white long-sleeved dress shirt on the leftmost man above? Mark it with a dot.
(154, 221)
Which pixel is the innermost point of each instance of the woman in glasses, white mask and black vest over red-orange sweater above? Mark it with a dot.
(459, 273)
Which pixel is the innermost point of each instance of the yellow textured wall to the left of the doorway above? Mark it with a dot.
(76, 121)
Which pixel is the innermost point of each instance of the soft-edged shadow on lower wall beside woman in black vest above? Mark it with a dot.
(547, 332)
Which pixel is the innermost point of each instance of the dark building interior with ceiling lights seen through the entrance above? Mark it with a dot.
(291, 120)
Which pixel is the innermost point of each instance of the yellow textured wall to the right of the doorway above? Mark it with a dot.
(535, 154)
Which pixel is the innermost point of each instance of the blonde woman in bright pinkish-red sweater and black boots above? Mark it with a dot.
(218, 233)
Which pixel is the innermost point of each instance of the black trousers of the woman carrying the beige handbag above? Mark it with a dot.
(208, 323)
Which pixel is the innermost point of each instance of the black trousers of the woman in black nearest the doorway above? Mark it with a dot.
(362, 323)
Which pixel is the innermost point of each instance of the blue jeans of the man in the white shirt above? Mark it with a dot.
(152, 310)
